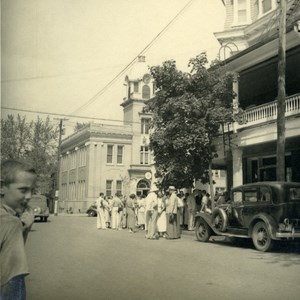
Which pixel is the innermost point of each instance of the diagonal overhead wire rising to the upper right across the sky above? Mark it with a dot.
(103, 90)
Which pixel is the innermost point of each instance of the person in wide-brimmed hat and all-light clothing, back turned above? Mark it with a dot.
(151, 214)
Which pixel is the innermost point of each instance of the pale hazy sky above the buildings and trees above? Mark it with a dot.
(58, 55)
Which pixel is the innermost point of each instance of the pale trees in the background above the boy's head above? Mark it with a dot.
(35, 141)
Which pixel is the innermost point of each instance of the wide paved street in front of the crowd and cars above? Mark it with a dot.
(70, 259)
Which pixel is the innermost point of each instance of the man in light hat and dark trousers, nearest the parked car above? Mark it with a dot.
(171, 212)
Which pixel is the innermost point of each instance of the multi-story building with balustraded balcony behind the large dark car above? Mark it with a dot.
(249, 47)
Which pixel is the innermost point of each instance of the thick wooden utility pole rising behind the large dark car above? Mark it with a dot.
(280, 165)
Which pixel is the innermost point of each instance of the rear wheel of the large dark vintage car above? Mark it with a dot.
(261, 237)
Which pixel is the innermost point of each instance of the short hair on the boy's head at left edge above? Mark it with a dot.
(10, 167)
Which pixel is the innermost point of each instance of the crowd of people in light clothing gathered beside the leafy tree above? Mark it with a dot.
(160, 214)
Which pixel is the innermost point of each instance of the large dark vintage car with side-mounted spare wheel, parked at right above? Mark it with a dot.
(262, 211)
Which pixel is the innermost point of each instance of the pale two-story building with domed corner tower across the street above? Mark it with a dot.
(110, 158)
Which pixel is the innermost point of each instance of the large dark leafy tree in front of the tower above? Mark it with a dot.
(188, 110)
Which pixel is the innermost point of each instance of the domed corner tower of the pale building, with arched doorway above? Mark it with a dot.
(139, 88)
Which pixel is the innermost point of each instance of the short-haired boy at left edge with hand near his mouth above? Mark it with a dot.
(17, 181)
